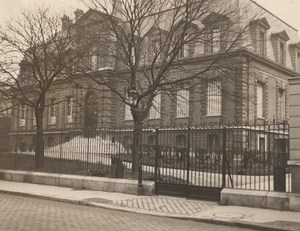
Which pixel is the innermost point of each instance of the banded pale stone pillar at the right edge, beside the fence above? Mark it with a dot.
(294, 111)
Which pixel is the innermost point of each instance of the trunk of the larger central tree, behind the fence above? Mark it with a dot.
(137, 146)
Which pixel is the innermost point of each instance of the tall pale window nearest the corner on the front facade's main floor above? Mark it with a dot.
(214, 98)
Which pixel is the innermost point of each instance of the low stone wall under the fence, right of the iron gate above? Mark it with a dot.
(261, 199)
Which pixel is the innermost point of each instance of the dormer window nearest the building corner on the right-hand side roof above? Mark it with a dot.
(259, 30)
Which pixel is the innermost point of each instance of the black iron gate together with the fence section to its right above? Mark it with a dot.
(199, 162)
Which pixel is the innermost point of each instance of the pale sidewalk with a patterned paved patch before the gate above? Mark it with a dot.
(162, 206)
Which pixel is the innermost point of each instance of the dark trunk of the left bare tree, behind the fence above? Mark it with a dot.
(39, 146)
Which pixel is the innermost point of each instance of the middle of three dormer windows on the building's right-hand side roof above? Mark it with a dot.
(279, 45)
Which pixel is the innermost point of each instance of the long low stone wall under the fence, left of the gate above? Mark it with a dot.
(79, 182)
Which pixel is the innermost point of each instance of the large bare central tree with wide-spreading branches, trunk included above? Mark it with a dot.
(151, 40)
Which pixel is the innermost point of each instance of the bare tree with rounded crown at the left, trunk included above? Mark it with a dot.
(34, 50)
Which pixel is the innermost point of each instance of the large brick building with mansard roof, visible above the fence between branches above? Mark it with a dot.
(257, 88)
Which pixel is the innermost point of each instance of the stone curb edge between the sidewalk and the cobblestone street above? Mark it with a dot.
(145, 212)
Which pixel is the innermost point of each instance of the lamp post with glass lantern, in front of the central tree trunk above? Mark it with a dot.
(132, 99)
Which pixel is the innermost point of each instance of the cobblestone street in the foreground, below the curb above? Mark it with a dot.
(23, 213)
